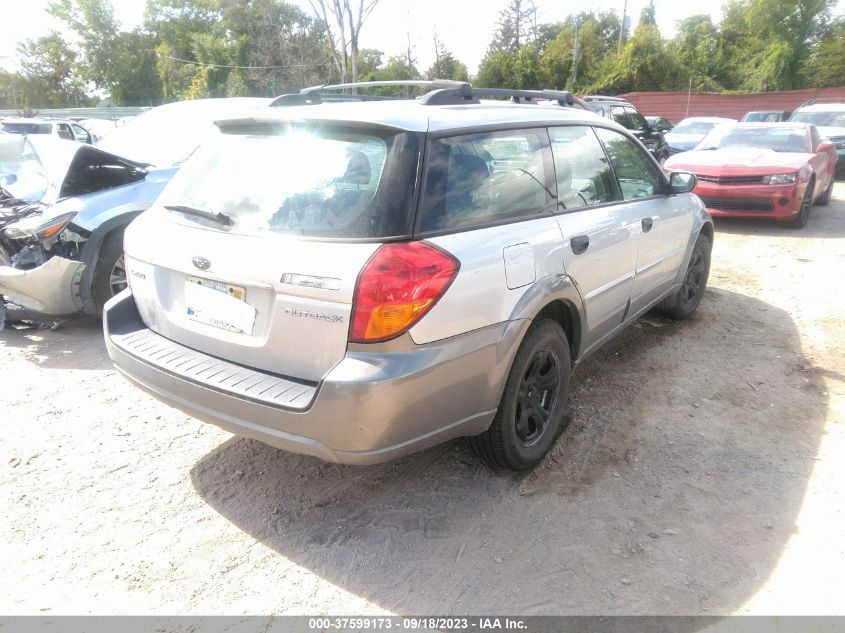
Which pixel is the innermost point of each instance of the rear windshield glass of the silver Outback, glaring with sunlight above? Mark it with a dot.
(317, 182)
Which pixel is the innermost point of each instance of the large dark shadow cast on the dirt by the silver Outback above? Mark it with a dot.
(674, 490)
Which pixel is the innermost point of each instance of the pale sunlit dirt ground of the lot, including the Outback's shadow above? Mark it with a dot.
(702, 473)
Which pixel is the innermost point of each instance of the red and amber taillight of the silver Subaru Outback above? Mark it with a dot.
(398, 285)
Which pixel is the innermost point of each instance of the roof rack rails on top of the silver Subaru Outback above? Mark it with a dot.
(442, 92)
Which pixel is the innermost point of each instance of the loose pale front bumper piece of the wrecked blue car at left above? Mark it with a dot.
(50, 289)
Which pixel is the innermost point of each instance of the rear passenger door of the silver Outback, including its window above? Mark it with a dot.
(599, 229)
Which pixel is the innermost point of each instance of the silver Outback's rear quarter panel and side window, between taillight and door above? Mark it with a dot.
(487, 200)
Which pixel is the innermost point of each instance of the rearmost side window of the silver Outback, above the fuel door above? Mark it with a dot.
(485, 178)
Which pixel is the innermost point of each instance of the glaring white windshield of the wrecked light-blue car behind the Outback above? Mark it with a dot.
(167, 135)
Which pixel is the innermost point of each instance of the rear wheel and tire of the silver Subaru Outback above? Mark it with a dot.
(534, 404)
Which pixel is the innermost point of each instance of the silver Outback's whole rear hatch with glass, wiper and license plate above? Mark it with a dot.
(252, 252)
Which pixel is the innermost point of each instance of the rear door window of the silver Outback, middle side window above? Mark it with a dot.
(583, 175)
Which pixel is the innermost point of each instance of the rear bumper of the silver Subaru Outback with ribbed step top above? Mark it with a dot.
(371, 407)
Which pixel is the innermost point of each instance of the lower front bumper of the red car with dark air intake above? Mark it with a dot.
(763, 201)
